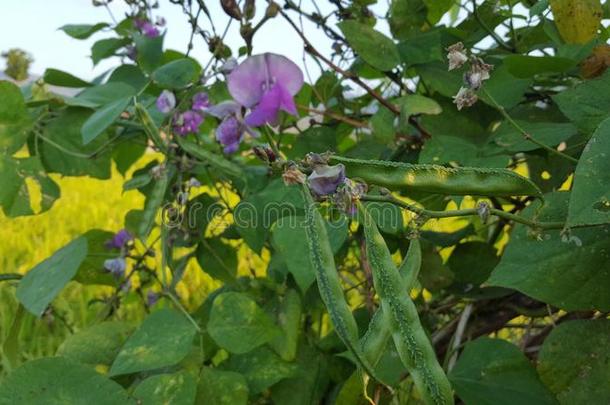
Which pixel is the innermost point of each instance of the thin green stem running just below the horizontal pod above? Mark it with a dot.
(468, 212)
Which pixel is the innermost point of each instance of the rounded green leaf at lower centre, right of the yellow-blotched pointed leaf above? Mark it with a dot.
(238, 325)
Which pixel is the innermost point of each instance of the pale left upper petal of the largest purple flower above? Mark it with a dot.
(246, 81)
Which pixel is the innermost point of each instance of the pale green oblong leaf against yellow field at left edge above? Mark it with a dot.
(44, 281)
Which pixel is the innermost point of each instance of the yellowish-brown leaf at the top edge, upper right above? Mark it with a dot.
(577, 20)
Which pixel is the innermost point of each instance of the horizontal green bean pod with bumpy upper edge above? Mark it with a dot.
(439, 179)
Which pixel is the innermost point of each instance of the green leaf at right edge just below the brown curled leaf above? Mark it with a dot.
(587, 104)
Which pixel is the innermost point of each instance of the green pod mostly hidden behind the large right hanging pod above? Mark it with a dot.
(375, 340)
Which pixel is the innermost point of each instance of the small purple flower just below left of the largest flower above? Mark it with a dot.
(232, 128)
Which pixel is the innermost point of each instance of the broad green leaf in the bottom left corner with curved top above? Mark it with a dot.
(55, 381)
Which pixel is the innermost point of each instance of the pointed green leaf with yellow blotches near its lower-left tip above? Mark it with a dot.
(163, 339)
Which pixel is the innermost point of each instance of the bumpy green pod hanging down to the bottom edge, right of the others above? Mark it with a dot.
(414, 348)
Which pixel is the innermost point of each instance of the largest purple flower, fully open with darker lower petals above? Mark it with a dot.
(266, 83)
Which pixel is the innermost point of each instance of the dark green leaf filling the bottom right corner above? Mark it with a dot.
(574, 360)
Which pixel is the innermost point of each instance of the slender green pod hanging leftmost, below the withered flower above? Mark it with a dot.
(323, 262)
